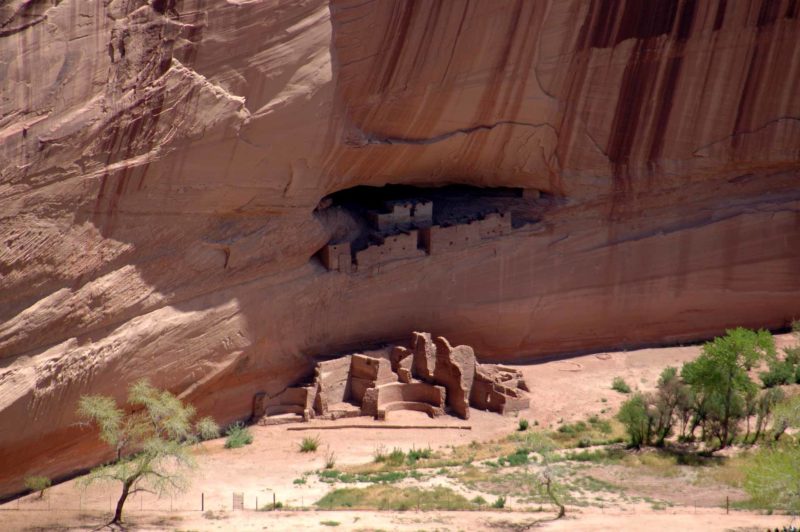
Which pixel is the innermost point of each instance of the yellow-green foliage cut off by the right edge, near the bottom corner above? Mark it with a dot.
(773, 478)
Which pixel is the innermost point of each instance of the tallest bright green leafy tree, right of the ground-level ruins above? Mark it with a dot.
(719, 377)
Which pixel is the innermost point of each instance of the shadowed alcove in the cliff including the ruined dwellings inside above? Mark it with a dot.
(372, 225)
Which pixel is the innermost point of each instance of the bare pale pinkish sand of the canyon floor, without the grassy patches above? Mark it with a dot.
(565, 390)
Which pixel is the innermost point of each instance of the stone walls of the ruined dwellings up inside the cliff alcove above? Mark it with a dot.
(405, 229)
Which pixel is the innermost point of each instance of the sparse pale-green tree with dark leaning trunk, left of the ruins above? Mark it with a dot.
(151, 443)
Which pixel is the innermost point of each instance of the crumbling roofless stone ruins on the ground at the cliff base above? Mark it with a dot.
(430, 376)
